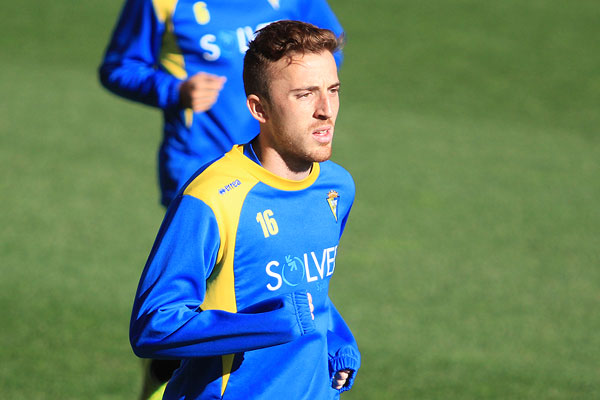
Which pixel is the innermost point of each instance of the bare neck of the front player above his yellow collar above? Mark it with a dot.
(278, 164)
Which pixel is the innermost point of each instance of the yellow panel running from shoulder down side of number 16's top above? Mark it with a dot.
(220, 286)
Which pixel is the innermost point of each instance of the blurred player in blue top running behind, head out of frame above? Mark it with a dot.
(185, 57)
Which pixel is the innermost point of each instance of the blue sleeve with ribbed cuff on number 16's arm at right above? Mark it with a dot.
(341, 347)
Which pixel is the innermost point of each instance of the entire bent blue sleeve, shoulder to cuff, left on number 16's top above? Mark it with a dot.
(167, 321)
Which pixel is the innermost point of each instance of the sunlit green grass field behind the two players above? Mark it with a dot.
(470, 268)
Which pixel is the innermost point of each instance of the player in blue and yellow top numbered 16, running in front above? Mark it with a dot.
(236, 284)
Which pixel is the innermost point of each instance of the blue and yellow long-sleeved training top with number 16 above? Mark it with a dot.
(225, 286)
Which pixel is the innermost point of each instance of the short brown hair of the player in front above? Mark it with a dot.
(278, 40)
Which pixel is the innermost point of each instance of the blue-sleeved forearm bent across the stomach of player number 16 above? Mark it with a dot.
(183, 333)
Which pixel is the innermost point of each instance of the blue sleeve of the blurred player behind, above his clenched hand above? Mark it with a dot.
(131, 63)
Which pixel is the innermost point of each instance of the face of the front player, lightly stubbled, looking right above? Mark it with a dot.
(302, 108)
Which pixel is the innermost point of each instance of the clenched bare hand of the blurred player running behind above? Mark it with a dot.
(200, 91)
